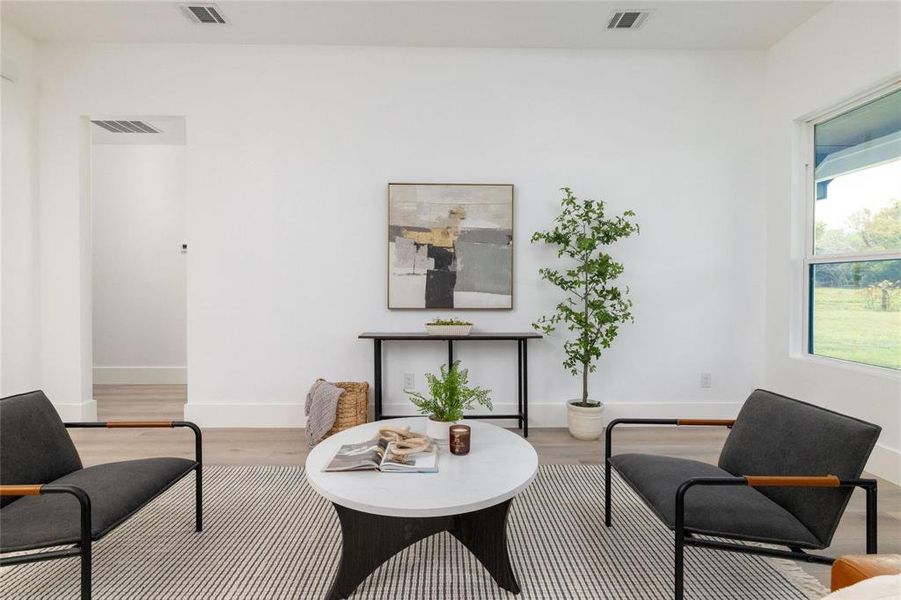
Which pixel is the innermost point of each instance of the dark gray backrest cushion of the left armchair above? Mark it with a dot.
(34, 444)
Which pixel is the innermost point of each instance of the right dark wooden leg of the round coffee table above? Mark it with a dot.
(484, 533)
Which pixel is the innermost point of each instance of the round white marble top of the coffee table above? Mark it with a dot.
(499, 466)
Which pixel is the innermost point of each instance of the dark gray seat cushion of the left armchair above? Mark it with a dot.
(117, 490)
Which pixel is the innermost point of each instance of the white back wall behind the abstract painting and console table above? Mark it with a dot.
(289, 153)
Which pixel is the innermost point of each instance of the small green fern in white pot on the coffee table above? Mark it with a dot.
(449, 397)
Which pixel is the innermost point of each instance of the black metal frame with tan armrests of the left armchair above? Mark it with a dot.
(83, 548)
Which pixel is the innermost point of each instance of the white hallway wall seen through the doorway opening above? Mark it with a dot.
(139, 298)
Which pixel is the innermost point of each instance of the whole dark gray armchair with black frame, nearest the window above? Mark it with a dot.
(785, 475)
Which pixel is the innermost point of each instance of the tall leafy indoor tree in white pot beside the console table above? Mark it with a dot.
(593, 306)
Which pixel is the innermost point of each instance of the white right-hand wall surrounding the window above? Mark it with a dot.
(846, 49)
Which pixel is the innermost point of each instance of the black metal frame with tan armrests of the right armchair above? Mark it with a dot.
(686, 538)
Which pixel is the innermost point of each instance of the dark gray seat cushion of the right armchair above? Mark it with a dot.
(735, 512)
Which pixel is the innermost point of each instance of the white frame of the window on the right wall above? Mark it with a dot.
(809, 258)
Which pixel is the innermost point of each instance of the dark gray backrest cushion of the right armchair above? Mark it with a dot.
(776, 435)
